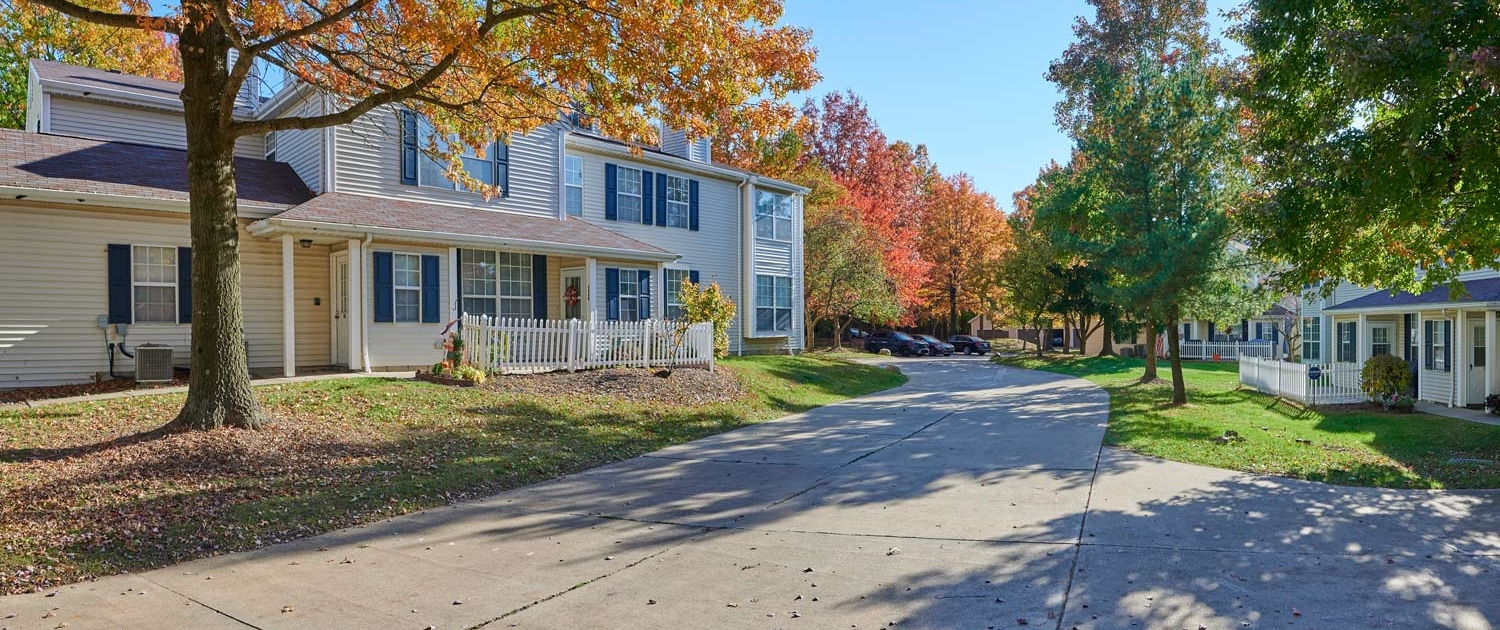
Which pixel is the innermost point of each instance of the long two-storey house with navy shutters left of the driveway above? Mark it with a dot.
(356, 250)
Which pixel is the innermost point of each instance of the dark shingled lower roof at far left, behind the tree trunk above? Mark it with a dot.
(124, 172)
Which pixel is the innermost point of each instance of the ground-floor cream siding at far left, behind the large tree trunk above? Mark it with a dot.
(55, 292)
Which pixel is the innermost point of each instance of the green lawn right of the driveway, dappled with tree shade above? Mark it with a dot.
(1346, 448)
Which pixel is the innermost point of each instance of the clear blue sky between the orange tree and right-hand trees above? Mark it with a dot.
(964, 77)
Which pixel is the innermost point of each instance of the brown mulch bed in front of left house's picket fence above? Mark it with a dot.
(685, 386)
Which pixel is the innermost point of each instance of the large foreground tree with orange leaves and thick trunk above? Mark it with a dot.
(478, 70)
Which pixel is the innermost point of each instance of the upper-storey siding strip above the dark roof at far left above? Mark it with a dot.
(100, 121)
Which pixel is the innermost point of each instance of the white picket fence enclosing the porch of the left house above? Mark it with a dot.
(506, 346)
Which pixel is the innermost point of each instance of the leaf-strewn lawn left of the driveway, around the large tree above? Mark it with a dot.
(83, 494)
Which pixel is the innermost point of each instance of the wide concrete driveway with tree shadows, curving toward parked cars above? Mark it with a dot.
(976, 497)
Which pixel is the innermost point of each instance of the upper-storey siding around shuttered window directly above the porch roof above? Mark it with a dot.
(368, 163)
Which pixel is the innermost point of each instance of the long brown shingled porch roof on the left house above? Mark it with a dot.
(341, 214)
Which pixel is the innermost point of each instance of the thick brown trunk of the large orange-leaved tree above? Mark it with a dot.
(220, 389)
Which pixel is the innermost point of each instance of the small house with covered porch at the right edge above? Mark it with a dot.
(1448, 341)
